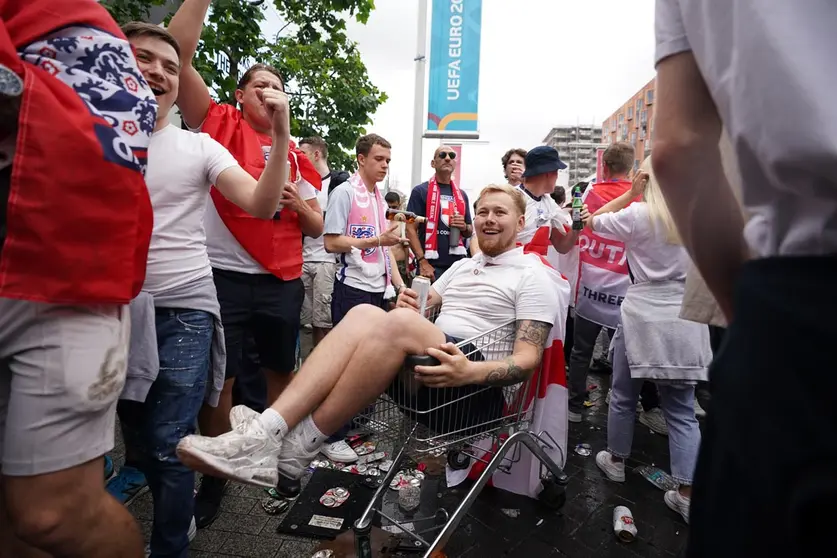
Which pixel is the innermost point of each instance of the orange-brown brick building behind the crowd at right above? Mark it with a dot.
(633, 122)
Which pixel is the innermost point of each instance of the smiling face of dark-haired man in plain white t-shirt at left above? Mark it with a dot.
(160, 66)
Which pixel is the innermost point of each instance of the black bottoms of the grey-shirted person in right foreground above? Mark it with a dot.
(766, 477)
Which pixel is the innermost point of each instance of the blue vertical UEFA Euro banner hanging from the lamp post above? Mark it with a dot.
(454, 68)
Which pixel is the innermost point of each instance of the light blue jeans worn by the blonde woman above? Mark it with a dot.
(678, 406)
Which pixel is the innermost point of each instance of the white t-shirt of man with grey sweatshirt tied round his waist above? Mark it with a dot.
(181, 167)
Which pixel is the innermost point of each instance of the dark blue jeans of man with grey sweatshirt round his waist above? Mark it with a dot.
(170, 412)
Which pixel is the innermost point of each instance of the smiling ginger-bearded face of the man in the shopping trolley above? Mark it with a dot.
(497, 222)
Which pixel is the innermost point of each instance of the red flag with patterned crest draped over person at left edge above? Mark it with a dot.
(79, 216)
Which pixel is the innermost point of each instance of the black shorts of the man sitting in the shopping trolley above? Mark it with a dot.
(446, 410)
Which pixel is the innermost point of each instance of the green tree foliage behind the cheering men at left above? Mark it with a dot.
(327, 82)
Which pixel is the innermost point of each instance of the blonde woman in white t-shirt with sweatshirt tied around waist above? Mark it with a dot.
(653, 343)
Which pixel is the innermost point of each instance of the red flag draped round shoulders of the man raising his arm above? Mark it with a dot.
(276, 244)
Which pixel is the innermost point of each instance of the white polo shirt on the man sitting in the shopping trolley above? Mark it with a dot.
(480, 294)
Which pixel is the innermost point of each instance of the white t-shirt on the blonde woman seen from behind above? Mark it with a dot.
(650, 257)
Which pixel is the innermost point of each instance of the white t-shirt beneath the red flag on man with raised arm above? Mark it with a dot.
(225, 252)
